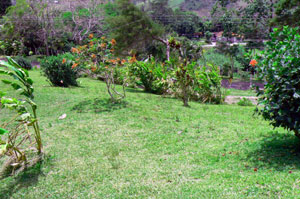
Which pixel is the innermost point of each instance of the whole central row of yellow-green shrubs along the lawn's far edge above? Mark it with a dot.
(186, 81)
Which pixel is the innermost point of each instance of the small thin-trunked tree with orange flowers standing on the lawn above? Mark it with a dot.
(98, 56)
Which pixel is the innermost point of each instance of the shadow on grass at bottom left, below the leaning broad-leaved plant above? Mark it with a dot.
(24, 180)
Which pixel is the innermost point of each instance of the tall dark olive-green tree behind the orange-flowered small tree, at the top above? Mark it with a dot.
(132, 28)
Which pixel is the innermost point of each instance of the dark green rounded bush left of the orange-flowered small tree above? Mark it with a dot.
(58, 70)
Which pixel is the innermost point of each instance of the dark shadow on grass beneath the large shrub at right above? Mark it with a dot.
(277, 151)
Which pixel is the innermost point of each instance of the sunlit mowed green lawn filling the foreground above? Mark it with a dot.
(153, 147)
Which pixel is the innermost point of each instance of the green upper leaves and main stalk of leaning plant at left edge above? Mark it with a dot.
(23, 84)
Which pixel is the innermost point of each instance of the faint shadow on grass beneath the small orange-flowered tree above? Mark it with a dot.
(98, 105)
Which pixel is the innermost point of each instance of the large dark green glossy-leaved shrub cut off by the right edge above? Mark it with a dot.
(281, 70)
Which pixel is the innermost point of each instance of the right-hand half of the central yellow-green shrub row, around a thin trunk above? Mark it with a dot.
(198, 83)
